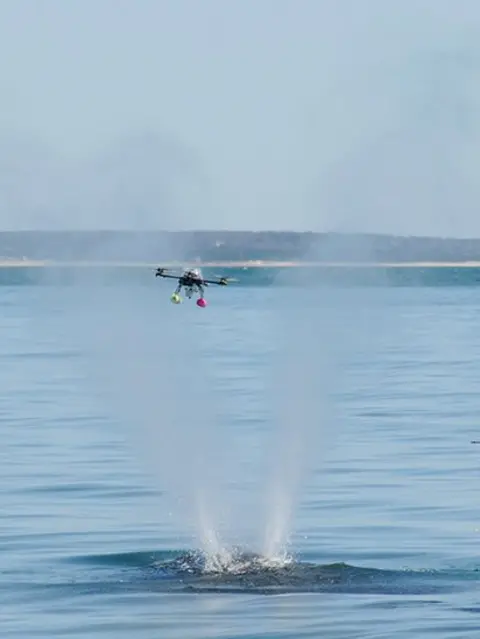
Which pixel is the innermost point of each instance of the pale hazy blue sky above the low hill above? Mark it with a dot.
(319, 115)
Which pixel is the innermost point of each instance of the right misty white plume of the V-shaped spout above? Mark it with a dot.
(320, 326)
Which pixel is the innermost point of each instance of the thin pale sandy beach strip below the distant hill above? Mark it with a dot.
(236, 264)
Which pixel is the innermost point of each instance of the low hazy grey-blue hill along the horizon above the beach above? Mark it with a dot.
(157, 246)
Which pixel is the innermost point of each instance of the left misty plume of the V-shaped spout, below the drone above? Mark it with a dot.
(147, 370)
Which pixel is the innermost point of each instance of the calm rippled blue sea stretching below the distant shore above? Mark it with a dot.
(121, 413)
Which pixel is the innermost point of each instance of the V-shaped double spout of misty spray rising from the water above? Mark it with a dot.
(149, 365)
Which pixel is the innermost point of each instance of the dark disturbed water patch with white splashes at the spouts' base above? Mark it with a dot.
(191, 572)
